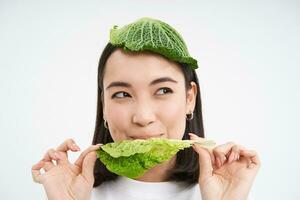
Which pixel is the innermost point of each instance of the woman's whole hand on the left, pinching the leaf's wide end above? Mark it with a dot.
(65, 180)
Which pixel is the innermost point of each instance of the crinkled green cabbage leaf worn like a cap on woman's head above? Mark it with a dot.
(147, 34)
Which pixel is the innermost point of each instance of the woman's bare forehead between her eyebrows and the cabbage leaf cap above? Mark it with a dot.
(139, 67)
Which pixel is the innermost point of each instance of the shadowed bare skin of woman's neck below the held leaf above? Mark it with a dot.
(159, 173)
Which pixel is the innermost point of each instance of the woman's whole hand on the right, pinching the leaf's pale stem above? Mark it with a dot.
(226, 172)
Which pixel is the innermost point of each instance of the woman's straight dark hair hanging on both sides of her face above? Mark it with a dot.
(187, 165)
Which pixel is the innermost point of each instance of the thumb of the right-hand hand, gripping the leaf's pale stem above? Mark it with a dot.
(205, 160)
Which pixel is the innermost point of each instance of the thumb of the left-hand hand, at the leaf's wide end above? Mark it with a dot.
(88, 166)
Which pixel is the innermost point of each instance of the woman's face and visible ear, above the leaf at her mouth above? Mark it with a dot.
(145, 96)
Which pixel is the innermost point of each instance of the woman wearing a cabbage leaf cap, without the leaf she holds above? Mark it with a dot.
(148, 88)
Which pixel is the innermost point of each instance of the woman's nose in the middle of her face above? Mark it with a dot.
(144, 114)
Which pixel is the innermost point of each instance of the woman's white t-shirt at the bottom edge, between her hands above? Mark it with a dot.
(124, 188)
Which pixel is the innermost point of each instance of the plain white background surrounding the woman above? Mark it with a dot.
(248, 53)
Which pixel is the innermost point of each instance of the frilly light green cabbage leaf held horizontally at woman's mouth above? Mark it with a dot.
(132, 158)
